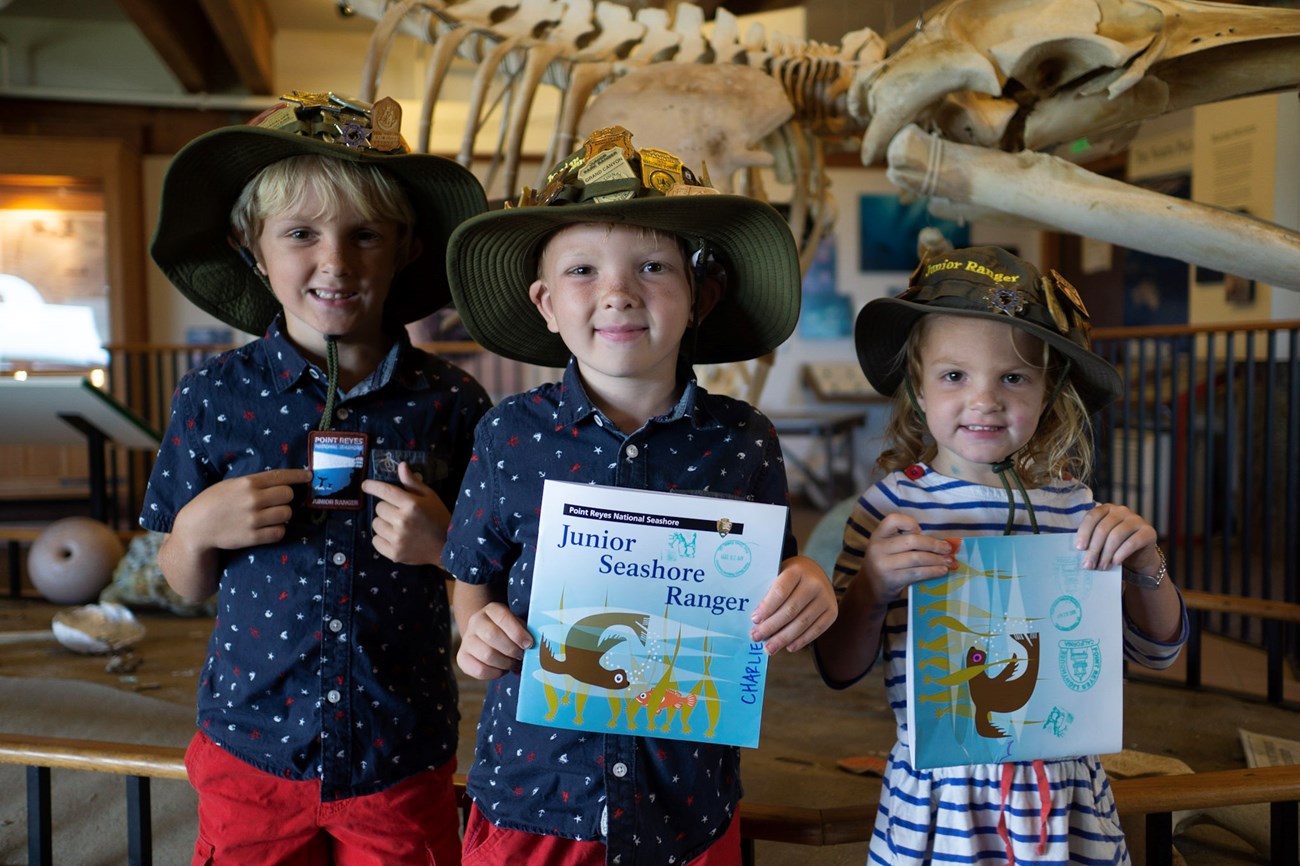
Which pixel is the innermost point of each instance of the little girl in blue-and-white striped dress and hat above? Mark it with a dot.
(994, 382)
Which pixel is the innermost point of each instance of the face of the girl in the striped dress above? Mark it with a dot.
(982, 392)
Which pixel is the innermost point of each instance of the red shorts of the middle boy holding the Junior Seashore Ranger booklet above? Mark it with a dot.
(488, 845)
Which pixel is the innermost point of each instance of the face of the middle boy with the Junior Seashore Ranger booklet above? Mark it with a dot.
(621, 298)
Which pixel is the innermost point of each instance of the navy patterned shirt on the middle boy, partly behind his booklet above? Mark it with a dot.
(651, 800)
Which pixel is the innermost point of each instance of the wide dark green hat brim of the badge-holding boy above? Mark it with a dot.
(192, 241)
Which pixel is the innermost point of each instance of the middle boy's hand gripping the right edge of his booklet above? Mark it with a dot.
(798, 608)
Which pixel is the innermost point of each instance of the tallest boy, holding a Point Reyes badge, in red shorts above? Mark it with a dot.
(306, 478)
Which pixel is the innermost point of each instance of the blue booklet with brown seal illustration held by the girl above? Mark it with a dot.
(1015, 656)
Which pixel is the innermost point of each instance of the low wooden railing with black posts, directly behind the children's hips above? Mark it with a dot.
(1155, 798)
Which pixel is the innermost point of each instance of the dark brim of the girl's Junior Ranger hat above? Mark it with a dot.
(882, 328)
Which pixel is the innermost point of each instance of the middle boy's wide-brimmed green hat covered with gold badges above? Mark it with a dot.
(492, 259)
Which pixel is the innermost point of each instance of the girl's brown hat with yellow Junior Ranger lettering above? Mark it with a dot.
(985, 283)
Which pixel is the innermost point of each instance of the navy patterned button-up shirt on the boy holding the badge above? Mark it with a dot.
(327, 660)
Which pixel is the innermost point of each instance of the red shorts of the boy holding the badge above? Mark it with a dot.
(253, 819)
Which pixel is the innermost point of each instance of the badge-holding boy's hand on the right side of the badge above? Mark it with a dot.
(410, 519)
